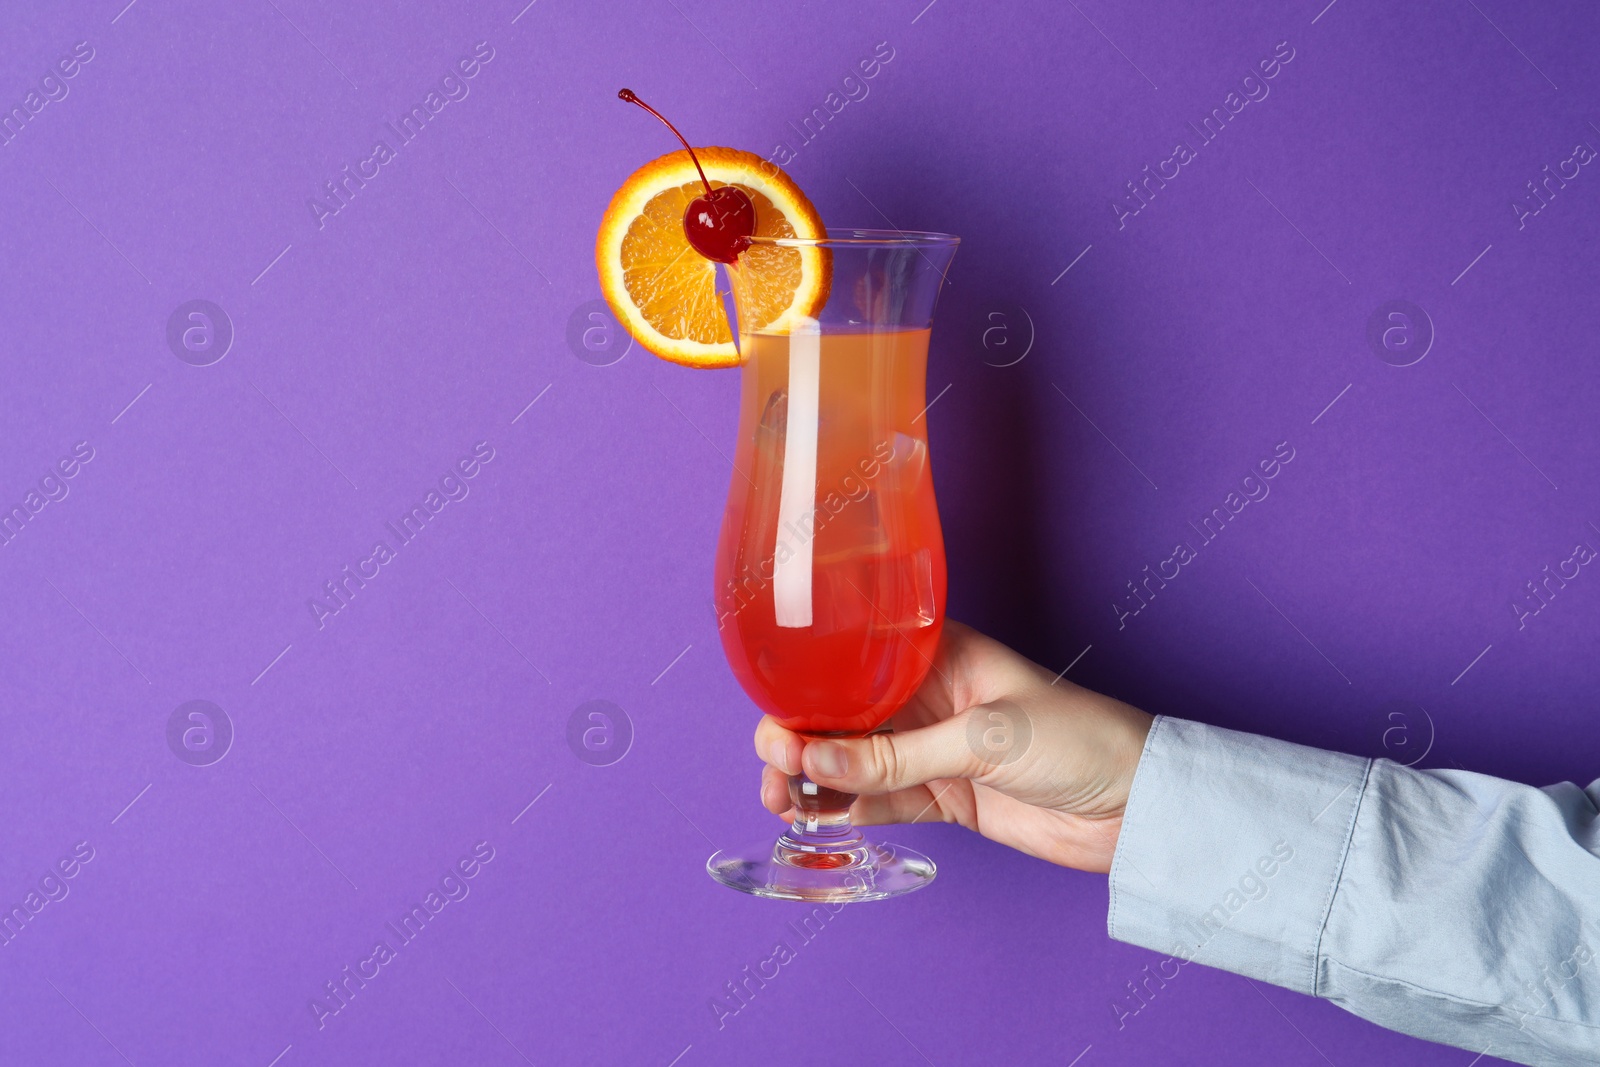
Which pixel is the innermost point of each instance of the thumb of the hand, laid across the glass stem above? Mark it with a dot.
(889, 762)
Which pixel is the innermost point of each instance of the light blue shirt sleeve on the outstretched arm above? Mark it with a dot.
(1446, 905)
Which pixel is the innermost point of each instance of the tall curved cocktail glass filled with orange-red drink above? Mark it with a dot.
(831, 565)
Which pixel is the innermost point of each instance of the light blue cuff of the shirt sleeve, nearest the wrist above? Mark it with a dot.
(1231, 850)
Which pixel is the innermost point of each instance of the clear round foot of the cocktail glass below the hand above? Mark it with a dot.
(788, 871)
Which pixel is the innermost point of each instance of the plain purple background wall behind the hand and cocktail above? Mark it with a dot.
(375, 351)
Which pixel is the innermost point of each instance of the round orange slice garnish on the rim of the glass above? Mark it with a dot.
(665, 292)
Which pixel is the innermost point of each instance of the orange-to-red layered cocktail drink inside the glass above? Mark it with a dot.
(846, 650)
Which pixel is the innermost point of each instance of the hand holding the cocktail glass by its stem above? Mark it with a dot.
(990, 741)
